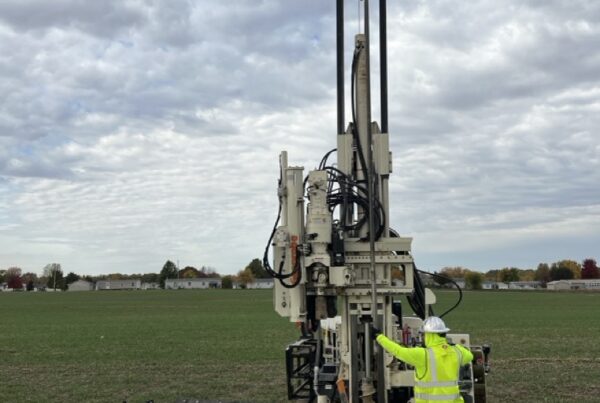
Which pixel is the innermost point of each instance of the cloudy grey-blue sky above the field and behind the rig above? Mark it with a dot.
(132, 132)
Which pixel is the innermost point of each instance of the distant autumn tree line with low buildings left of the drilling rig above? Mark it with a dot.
(53, 276)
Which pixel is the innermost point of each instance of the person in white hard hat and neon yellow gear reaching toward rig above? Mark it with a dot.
(437, 365)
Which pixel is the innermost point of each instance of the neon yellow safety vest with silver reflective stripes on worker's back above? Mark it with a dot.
(440, 381)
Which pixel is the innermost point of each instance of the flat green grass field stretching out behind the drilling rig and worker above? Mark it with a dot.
(229, 345)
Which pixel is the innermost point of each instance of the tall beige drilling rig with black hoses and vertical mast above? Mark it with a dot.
(334, 253)
